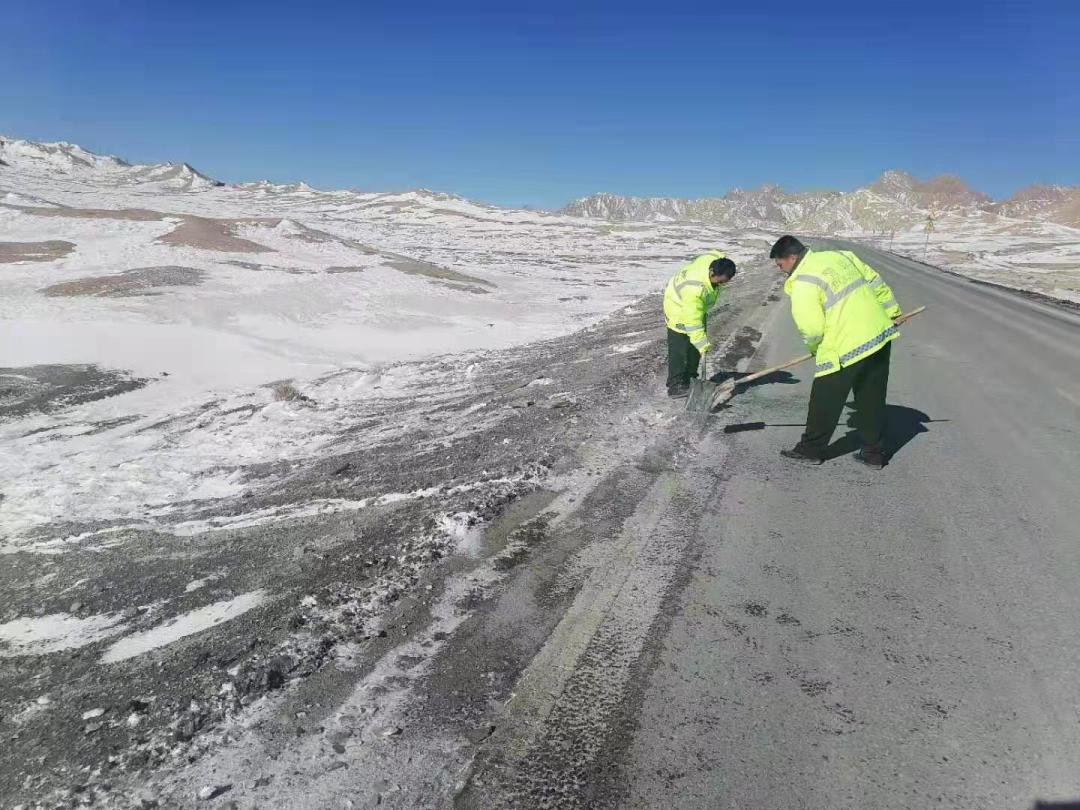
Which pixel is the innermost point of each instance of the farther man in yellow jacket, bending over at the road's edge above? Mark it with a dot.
(690, 295)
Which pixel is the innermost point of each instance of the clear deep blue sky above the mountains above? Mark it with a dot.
(541, 103)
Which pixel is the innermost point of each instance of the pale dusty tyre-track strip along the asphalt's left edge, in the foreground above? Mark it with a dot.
(569, 708)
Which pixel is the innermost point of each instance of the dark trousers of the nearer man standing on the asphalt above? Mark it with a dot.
(868, 381)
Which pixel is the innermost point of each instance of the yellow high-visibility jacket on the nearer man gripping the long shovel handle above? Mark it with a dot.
(842, 307)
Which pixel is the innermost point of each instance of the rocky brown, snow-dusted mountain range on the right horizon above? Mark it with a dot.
(896, 201)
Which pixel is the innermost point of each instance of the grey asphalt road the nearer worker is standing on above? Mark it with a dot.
(903, 639)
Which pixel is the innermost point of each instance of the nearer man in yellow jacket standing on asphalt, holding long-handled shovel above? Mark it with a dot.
(845, 313)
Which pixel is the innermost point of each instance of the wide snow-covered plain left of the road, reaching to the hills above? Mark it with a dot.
(207, 295)
